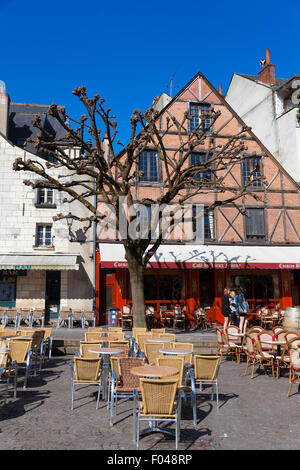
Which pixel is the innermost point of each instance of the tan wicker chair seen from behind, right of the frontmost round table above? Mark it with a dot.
(206, 369)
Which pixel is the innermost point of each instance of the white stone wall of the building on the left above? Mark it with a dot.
(18, 219)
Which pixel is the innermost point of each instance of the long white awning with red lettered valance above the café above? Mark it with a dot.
(206, 256)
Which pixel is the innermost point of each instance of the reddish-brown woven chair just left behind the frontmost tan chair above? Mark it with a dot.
(128, 382)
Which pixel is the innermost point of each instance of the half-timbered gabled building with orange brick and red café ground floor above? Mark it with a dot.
(257, 247)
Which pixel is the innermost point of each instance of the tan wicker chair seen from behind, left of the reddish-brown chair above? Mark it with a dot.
(86, 371)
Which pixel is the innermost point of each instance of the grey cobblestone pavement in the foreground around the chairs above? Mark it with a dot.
(253, 414)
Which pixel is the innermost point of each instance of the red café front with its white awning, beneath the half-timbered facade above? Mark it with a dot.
(196, 275)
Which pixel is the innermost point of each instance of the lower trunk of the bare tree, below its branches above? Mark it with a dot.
(136, 276)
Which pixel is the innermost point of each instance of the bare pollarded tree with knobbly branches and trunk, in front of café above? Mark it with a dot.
(112, 174)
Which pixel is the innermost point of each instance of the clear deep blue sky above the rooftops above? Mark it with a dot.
(128, 51)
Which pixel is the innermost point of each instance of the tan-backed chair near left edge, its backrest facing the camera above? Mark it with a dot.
(21, 356)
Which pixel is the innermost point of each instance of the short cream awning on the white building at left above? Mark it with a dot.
(38, 261)
